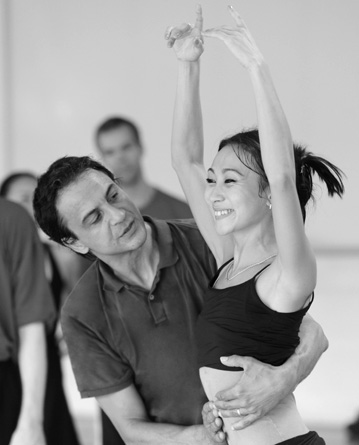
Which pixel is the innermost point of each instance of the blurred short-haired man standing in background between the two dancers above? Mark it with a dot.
(119, 144)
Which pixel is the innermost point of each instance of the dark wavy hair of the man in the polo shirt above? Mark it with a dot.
(62, 173)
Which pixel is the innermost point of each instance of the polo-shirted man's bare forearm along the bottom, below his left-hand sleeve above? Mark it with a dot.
(127, 412)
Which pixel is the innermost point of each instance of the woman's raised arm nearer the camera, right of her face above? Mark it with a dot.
(295, 259)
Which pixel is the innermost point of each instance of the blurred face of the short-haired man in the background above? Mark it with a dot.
(121, 154)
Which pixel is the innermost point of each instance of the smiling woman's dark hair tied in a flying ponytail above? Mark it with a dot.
(306, 164)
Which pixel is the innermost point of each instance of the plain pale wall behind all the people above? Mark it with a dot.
(69, 64)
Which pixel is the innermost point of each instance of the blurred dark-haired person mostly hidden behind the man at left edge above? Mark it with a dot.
(62, 269)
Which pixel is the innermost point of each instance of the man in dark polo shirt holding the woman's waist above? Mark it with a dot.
(129, 322)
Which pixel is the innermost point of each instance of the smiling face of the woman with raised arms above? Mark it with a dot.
(233, 195)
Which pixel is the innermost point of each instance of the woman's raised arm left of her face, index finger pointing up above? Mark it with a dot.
(187, 131)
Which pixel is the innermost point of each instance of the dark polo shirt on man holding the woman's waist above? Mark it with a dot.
(119, 334)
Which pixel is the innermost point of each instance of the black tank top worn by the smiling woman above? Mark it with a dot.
(234, 320)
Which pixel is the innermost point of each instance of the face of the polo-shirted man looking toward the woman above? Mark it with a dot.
(102, 216)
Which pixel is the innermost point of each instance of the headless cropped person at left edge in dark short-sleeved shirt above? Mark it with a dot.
(26, 308)
